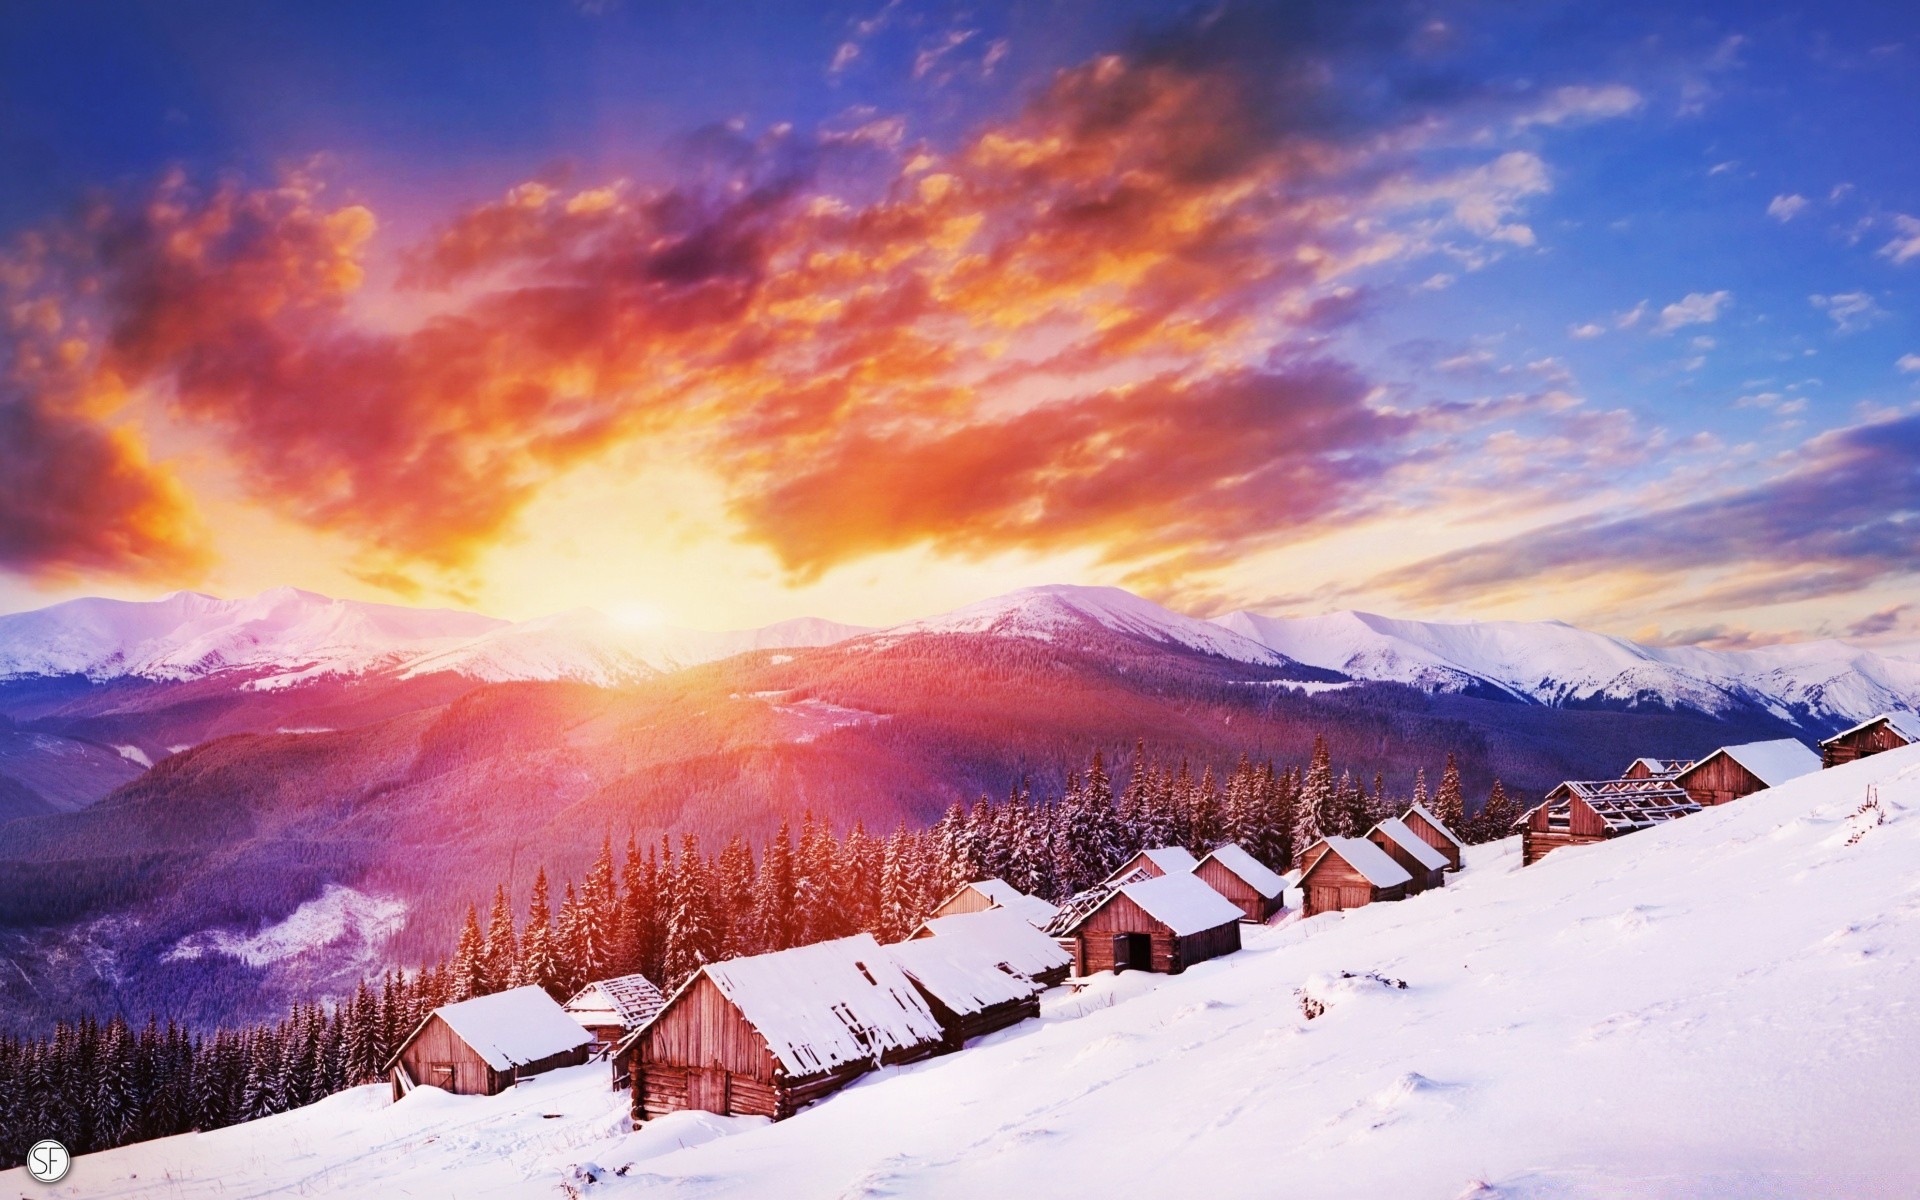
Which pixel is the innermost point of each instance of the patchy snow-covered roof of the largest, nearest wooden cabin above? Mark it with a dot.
(827, 1005)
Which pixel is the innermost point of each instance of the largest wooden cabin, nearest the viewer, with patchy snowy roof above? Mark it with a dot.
(771, 1034)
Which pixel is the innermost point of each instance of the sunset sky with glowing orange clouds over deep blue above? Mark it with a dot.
(731, 314)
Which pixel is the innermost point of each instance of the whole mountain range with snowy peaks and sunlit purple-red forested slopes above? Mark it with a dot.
(224, 805)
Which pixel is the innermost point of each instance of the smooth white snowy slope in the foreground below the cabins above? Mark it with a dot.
(1725, 1007)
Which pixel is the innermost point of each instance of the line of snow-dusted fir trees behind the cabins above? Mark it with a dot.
(665, 911)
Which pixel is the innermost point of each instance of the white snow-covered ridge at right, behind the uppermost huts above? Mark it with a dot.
(1554, 663)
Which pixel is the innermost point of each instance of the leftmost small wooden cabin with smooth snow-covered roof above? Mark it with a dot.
(487, 1045)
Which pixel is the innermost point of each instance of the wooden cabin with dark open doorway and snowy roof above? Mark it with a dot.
(1164, 924)
